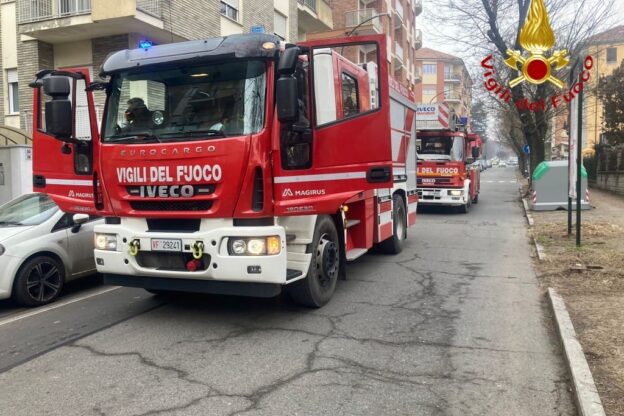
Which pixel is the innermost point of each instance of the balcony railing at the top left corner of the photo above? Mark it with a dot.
(36, 10)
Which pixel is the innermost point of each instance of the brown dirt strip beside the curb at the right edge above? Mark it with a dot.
(591, 281)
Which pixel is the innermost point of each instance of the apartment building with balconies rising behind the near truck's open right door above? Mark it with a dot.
(394, 18)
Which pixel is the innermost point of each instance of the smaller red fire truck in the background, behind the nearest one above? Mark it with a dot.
(447, 174)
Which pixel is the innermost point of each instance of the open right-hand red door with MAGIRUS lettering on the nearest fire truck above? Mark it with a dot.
(346, 120)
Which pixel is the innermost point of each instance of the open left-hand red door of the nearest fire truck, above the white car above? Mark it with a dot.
(63, 167)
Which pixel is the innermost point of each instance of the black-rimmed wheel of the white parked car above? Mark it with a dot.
(38, 281)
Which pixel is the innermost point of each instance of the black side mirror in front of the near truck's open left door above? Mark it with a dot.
(58, 112)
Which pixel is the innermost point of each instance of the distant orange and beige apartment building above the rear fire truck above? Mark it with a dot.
(444, 79)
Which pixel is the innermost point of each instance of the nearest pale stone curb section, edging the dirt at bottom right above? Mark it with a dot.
(585, 392)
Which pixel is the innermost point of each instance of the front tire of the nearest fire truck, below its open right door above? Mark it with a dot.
(318, 287)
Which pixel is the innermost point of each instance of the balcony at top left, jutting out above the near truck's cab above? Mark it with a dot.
(56, 21)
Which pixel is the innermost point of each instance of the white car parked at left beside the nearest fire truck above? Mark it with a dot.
(41, 248)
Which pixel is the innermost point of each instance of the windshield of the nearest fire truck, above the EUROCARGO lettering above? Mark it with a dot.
(186, 103)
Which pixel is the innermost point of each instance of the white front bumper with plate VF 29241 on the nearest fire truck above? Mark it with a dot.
(129, 255)
